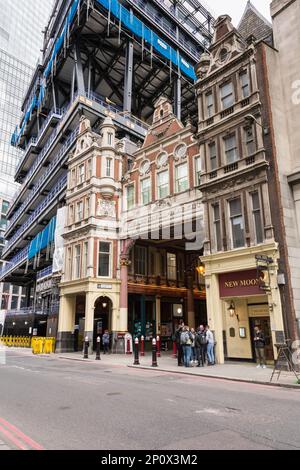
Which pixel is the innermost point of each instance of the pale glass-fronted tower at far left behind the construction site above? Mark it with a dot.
(21, 40)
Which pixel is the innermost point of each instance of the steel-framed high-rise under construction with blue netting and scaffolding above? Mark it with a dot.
(101, 58)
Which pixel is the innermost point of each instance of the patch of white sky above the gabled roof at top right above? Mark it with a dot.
(235, 8)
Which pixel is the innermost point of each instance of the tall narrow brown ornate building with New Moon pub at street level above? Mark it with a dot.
(250, 244)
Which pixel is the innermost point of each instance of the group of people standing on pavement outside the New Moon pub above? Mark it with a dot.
(195, 347)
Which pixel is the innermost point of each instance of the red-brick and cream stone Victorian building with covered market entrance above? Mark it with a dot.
(133, 233)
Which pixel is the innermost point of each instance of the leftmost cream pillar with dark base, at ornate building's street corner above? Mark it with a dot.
(66, 323)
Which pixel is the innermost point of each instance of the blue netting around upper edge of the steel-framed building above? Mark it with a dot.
(132, 23)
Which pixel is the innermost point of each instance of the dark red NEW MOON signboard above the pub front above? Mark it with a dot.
(238, 284)
